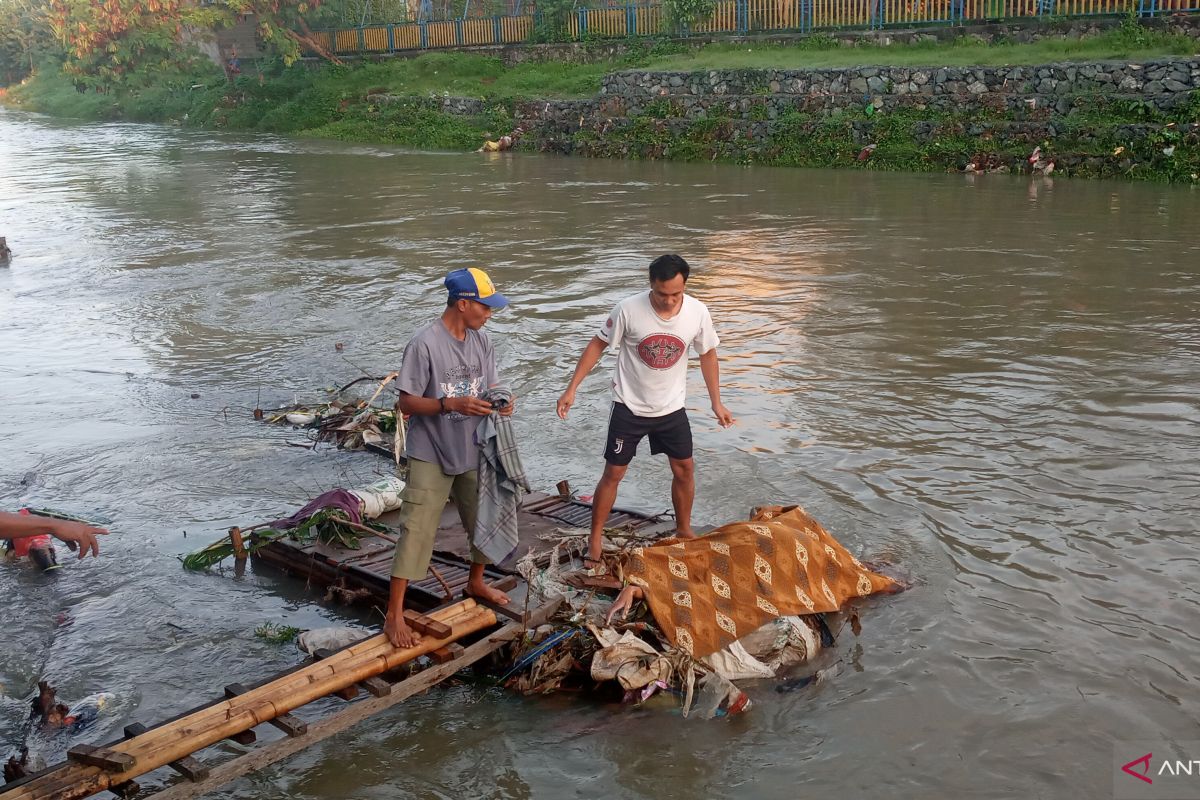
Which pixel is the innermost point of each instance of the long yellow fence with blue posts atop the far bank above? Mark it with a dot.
(734, 17)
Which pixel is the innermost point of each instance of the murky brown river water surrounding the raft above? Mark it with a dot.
(989, 381)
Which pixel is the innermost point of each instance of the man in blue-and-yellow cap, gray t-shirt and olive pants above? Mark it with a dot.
(448, 366)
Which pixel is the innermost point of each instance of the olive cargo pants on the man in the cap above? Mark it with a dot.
(424, 498)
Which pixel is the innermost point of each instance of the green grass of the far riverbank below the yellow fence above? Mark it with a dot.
(335, 101)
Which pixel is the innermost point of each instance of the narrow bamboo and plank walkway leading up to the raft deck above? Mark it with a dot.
(365, 665)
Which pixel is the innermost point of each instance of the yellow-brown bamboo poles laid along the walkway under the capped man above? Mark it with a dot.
(184, 737)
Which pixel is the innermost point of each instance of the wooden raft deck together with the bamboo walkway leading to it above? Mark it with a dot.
(369, 665)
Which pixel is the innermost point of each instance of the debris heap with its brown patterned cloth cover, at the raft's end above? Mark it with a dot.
(749, 600)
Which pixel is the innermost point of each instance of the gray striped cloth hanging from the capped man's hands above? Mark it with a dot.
(501, 482)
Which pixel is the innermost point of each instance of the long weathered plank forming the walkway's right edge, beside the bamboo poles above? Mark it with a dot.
(340, 721)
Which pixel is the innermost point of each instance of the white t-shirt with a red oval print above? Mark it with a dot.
(652, 353)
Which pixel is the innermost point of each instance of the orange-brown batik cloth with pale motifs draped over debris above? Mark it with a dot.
(710, 592)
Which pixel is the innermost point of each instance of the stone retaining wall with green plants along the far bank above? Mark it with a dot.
(1143, 115)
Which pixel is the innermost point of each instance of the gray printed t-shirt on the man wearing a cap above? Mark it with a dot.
(439, 365)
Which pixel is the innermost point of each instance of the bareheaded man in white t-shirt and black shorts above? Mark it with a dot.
(652, 332)
